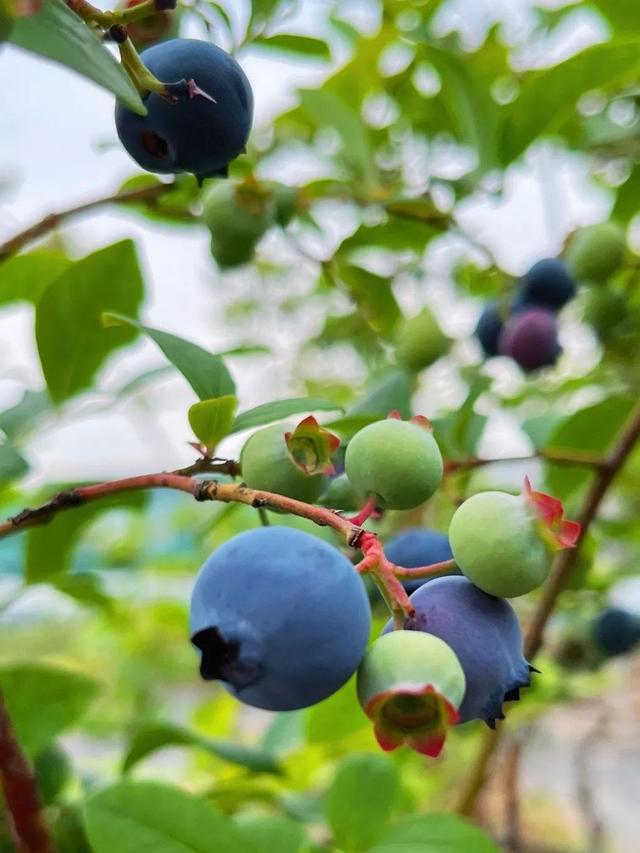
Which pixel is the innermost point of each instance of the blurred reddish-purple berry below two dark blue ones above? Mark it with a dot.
(530, 338)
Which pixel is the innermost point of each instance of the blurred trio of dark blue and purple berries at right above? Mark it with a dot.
(526, 329)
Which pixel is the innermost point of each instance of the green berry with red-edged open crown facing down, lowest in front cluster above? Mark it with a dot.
(411, 684)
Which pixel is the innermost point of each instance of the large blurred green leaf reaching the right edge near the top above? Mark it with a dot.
(548, 98)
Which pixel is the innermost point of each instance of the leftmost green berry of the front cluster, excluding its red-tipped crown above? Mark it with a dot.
(266, 465)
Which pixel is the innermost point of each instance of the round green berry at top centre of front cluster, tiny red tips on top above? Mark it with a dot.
(398, 462)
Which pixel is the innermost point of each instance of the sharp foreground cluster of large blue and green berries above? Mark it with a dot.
(282, 620)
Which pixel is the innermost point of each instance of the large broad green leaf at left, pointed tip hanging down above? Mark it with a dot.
(72, 342)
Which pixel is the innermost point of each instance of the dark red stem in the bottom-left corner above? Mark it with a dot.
(20, 792)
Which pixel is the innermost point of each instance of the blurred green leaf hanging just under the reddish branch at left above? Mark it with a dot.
(50, 548)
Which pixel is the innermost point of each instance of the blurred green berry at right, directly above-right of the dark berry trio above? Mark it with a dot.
(596, 252)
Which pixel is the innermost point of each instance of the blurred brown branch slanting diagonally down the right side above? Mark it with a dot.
(607, 471)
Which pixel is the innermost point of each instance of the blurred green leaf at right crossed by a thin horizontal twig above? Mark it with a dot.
(593, 429)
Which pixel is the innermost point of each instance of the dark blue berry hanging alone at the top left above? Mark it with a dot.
(196, 134)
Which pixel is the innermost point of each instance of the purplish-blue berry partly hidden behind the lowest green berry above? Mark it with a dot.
(485, 635)
